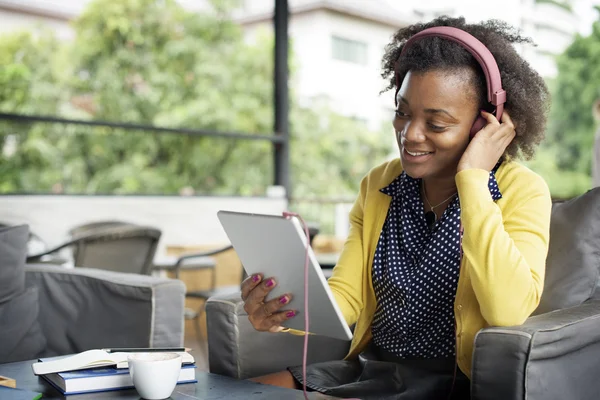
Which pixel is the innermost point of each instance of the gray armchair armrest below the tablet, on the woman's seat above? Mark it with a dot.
(236, 349)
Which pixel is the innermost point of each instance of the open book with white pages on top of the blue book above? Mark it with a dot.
(90, 359)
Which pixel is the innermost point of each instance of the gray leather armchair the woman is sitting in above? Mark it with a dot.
(554, 355)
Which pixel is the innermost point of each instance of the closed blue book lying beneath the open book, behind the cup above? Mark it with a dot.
(104, 379)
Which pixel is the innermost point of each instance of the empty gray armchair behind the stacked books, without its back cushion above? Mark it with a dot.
(59, 311)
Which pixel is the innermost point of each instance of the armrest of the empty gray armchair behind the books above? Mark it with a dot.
(84, 308)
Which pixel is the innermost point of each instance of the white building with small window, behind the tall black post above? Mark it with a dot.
(337, 45)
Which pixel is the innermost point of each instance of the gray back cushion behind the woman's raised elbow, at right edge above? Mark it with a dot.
(573, 261)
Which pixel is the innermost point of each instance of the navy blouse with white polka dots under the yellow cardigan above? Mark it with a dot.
(415, 274)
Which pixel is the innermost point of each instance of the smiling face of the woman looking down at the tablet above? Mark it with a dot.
(435, 112)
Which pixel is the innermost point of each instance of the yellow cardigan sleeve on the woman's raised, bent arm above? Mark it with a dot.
(507, 252)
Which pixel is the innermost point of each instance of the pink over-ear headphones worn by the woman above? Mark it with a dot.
(495, 94)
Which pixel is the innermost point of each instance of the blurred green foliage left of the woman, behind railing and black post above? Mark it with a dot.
(151, 62)
